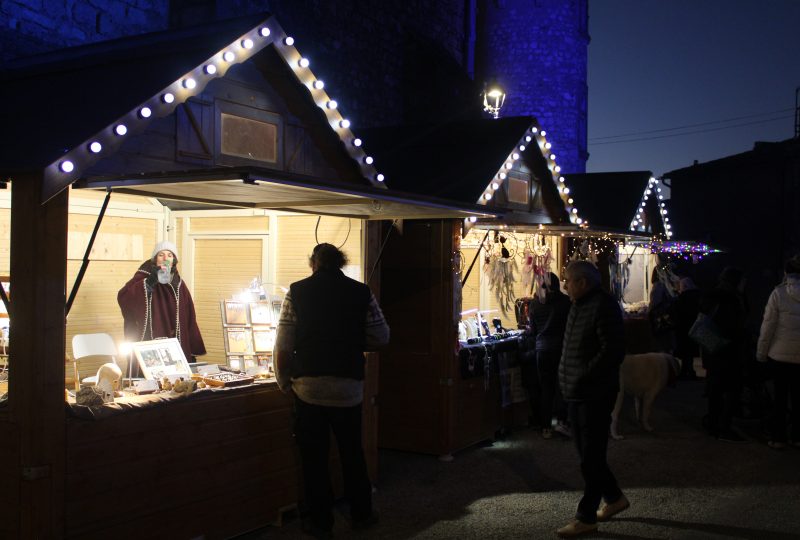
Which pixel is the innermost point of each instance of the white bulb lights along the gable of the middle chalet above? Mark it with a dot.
(546, 148)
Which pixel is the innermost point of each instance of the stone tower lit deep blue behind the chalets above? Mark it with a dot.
(538, 51)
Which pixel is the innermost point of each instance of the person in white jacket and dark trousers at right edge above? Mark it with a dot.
(780, 341)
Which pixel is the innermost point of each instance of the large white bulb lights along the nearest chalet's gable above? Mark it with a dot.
(75, 160)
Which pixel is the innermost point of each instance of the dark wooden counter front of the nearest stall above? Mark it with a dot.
(227, 461)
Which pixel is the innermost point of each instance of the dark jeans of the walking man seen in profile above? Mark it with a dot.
(590, 420)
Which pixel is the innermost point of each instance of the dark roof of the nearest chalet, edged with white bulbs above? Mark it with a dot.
(59, 103)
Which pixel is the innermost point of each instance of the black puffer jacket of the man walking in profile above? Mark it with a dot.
(594, 347)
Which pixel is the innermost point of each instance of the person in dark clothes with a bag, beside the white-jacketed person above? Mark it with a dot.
(724, 307)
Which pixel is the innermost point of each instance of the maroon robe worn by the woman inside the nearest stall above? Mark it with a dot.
(134, 298)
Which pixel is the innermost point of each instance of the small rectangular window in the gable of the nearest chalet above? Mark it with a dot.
(249, 139)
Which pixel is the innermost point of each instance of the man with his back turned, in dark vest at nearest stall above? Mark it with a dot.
(327, 320)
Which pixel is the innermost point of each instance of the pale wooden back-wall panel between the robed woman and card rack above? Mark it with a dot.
(222, 268)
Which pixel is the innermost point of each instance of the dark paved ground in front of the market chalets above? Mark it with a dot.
(681, 484)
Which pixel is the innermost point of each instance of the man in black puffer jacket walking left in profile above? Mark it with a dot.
(589, 379)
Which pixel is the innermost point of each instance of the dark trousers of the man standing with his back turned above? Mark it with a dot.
(312, 428)
